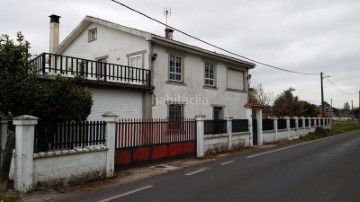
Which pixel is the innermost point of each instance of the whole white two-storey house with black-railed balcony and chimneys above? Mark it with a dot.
(137, 74)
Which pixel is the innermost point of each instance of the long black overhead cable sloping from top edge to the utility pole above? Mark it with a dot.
(212, 45)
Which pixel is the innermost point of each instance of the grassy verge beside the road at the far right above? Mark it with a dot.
(336, 128)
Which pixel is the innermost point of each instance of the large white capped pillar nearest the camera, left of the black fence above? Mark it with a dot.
(24, 152)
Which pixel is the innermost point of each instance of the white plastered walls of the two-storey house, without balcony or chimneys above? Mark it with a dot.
(120, 45)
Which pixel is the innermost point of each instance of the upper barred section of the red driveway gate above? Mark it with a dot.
(140, 132)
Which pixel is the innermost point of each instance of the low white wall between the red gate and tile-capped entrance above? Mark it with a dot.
(220, 142)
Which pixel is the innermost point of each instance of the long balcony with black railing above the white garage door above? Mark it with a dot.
(90, 70)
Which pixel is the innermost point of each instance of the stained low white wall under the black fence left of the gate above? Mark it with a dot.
(69, 166)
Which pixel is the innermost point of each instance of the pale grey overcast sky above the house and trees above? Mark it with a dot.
(307, 36)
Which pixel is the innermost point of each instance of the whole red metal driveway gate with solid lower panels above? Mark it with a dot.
(146, 140)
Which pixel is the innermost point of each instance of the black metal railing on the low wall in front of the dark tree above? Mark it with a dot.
(52, 135)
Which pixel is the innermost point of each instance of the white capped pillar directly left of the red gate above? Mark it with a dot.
(110, 119)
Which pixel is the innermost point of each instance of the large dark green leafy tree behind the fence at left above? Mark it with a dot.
(22, 93)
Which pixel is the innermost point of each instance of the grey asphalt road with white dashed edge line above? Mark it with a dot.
(323, 170)
